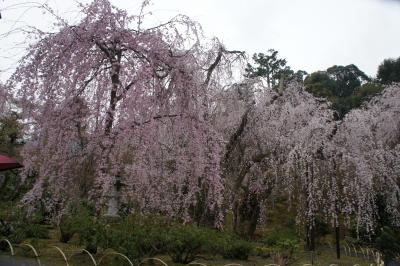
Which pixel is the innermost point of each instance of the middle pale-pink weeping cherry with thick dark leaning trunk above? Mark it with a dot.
(273, 136)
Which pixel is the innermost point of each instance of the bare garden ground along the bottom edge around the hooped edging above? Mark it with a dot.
(50, 256)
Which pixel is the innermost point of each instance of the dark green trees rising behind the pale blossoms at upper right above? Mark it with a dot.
(346, 87)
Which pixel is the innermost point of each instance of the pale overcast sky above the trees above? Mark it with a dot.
(311, 34)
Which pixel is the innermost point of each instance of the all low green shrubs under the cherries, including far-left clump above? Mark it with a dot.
(139, 236)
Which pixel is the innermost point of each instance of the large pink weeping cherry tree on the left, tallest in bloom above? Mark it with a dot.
(115, 107)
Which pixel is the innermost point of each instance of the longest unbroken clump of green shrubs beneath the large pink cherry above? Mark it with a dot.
(139, 236)
